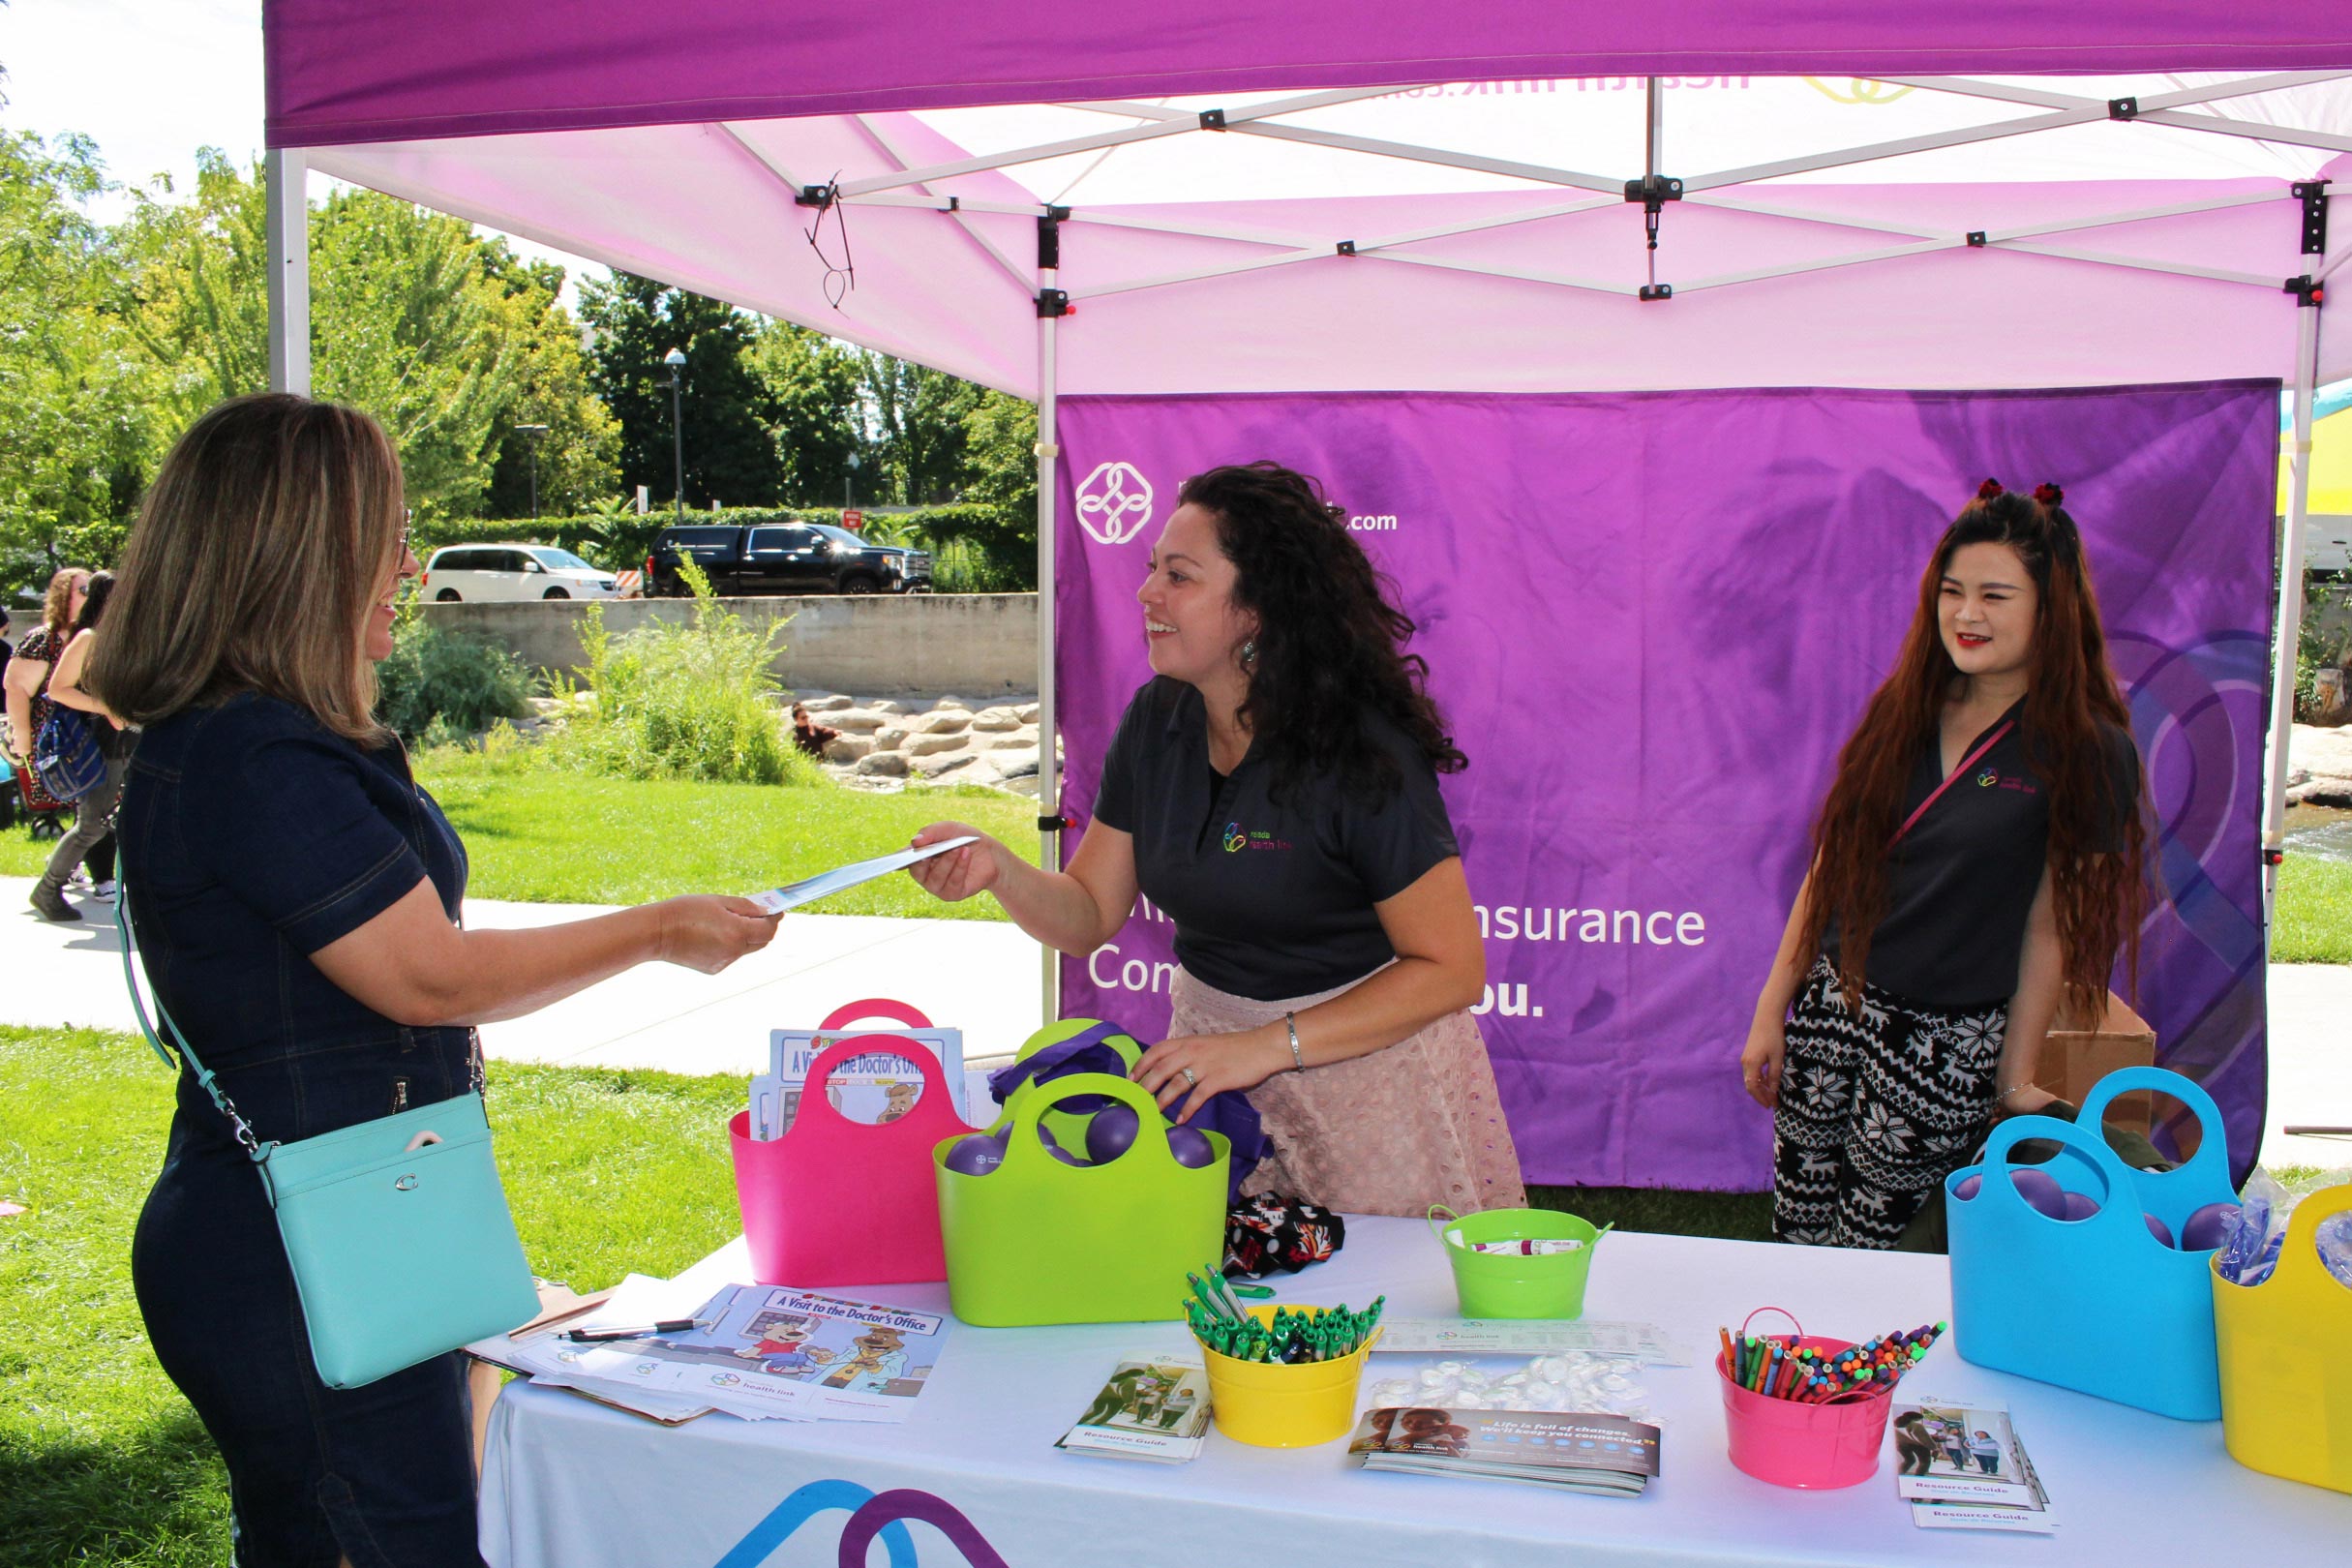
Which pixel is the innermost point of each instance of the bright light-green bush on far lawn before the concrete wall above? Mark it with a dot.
(683, 702)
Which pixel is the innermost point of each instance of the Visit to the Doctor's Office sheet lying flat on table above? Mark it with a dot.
(775, 1351)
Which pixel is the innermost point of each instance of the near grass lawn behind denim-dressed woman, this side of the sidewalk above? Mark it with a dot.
(100, 1456)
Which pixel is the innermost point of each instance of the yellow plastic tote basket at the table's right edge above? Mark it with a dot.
(2285, 1372)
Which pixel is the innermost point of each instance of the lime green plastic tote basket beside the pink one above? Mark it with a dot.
(1041, 1242)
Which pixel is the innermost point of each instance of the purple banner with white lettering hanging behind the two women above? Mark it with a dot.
(1652, 622)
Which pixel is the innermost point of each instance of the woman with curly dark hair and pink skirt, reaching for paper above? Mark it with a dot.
(1276, 793)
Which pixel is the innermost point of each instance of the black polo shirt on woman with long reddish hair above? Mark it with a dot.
(1960, 885)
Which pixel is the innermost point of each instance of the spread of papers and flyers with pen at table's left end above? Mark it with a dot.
(761, 1353)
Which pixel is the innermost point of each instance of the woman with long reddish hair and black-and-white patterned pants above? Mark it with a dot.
(1979, 859)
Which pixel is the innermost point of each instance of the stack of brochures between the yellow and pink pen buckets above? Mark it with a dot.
(1558, 1449)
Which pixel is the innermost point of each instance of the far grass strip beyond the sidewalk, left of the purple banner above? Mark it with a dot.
(566, 838)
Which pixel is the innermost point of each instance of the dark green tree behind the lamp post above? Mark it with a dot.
(728, 410)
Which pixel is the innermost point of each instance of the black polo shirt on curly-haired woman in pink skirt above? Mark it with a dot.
(1269, 902)
